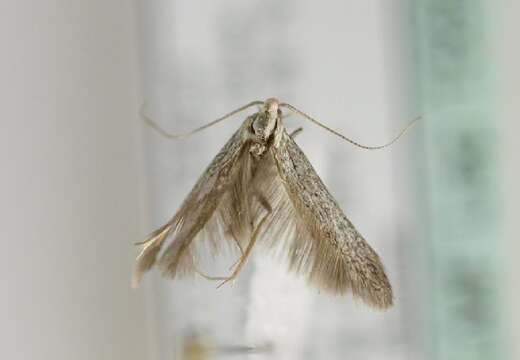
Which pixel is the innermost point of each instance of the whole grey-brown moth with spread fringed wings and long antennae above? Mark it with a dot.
(261, 189)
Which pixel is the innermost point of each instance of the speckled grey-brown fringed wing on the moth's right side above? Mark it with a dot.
(325, 245)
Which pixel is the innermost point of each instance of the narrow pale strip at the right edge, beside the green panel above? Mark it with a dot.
(507, 35)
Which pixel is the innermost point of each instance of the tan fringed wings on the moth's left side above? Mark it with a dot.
(211, 212)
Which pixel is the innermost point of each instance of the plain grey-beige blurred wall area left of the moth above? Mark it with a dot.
(69, 189)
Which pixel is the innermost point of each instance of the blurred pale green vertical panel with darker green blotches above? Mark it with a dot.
(464, 242)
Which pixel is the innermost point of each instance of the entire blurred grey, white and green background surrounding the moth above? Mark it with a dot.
(84, 178)
